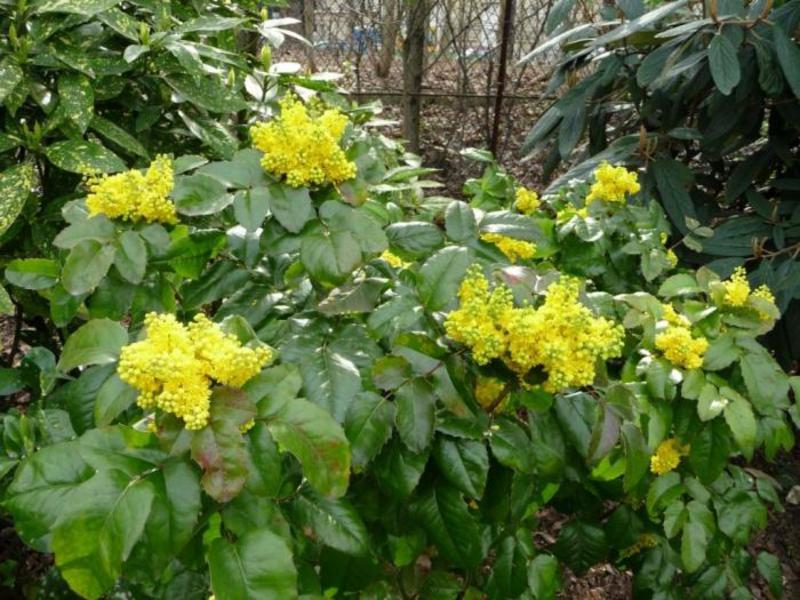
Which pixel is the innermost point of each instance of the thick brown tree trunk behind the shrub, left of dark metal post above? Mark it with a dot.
(413, 65)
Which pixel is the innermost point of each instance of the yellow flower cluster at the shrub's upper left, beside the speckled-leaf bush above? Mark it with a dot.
(133, 195)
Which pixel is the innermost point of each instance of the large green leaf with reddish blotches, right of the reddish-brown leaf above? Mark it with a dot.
(317, 441)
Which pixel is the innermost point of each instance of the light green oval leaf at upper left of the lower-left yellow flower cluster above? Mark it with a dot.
(98, 342)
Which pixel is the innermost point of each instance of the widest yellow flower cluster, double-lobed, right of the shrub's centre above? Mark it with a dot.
(561, 336)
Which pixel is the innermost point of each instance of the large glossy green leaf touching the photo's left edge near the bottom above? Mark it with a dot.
(43, 485)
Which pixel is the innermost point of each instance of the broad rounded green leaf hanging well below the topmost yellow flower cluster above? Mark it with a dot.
(330, 257)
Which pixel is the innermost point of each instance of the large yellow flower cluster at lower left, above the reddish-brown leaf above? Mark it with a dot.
(173, 367)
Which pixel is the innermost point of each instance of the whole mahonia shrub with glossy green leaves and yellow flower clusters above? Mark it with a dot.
(312, 380)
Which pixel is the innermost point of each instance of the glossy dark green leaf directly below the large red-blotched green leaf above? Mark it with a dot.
(333, 521)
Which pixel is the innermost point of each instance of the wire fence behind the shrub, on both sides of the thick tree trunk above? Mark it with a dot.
(465, 67)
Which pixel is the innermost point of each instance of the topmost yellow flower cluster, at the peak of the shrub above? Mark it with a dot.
(303, 146)
